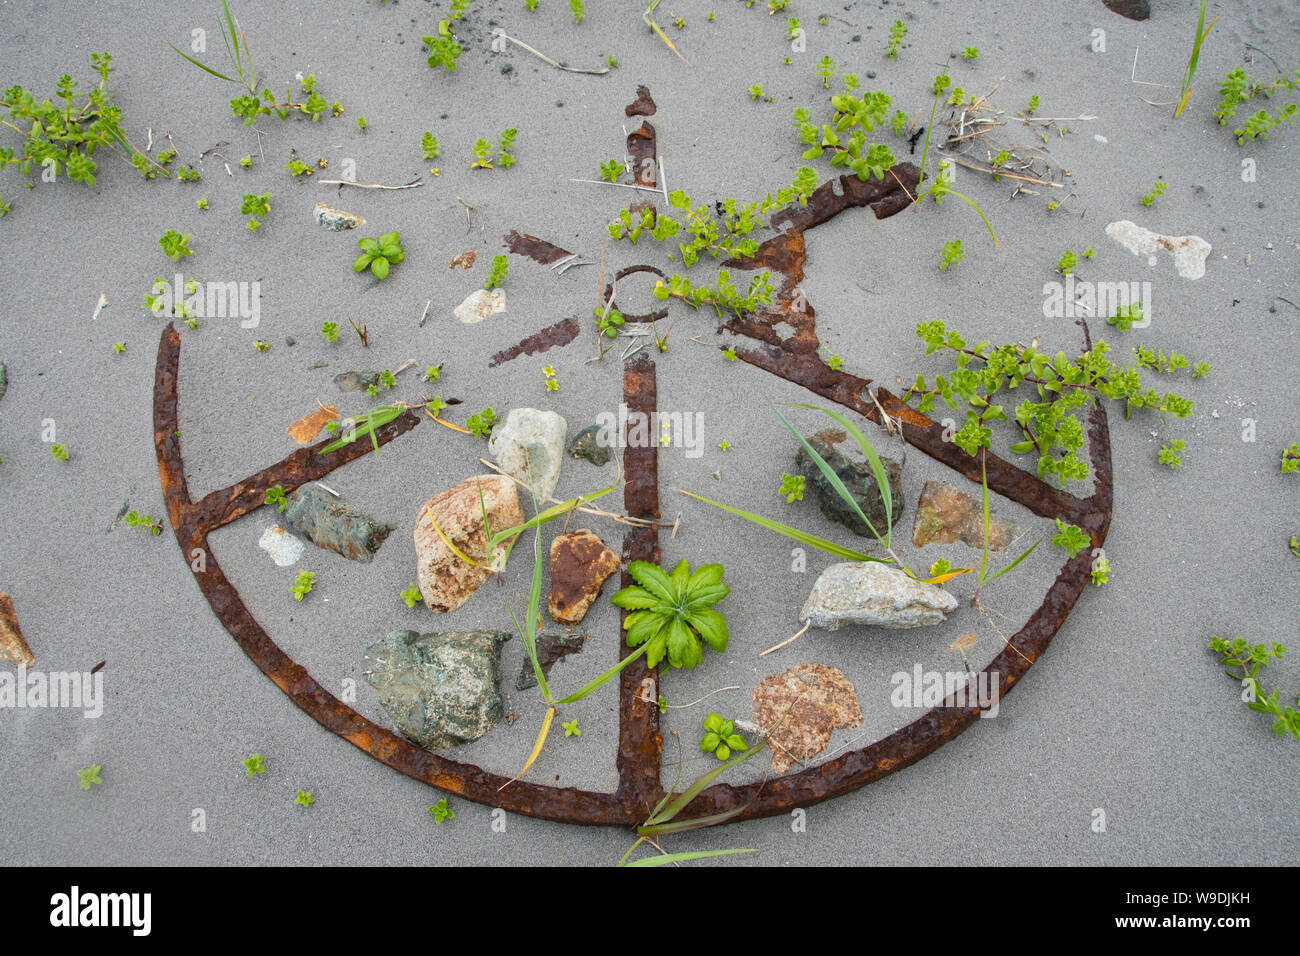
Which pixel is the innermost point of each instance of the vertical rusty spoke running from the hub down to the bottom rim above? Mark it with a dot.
(640, 741)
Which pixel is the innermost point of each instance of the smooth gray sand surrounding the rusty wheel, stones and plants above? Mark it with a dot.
(1126, 713)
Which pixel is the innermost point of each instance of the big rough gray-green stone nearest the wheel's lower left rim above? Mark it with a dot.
(440, 690)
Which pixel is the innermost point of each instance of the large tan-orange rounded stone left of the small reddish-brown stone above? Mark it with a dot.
(445, 579)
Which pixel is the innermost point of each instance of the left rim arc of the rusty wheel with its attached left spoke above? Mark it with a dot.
(193, 522)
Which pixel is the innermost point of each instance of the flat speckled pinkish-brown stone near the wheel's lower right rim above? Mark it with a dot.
(800, 708)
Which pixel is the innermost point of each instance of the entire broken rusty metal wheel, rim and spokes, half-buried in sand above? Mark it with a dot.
(794, 358)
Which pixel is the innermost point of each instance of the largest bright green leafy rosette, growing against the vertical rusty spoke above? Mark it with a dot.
(671, 612)
